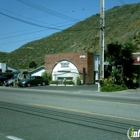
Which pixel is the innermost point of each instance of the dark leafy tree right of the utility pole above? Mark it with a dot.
(120, 60)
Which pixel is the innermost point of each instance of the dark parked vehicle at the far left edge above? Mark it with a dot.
(5, 77)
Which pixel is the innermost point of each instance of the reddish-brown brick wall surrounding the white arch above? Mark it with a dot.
(80, 60)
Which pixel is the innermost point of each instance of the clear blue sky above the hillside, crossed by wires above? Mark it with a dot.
(23, 21)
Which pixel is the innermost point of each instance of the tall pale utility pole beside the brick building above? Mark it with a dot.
(102, 27)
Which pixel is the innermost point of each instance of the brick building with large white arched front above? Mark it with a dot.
(69, 66)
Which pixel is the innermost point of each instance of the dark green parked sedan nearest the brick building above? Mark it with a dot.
(32, 80)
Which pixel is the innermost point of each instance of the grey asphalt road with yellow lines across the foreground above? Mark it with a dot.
(67, 113)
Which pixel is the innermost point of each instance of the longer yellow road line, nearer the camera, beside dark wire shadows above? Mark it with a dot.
(82, 111)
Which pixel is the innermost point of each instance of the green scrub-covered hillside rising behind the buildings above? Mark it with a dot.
(122, 24)
